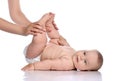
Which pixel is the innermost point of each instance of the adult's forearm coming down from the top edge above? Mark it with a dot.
(16, 14)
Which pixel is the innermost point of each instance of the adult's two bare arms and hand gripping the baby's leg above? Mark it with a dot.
(23, 26)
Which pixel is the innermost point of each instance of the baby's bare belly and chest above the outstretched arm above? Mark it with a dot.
(53, 51)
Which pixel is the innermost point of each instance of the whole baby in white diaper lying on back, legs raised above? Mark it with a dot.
(57, 53)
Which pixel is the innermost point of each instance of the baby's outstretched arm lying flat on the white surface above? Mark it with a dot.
(56, 64)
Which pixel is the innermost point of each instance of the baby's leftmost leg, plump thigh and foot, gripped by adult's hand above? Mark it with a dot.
(39, 41)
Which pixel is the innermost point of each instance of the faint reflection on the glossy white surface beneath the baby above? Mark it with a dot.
(62, 76)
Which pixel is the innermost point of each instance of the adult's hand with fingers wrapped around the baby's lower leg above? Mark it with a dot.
(33, 29)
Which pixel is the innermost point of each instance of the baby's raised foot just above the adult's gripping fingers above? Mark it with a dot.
(44, 19)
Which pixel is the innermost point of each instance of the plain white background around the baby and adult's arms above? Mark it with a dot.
(86, 24)
